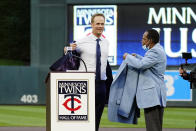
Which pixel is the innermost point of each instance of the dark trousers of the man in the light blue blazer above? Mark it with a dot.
(154, 118)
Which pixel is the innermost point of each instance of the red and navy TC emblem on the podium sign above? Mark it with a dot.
(73, 100)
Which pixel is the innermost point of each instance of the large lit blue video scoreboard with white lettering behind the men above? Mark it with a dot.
(125, 25)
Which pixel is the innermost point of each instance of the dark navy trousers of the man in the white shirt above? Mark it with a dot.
(100, 98)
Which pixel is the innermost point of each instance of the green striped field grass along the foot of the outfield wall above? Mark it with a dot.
(24, 116)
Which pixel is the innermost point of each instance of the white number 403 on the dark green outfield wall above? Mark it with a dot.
(27, 98)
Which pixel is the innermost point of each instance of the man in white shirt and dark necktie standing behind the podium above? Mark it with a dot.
(94, 51)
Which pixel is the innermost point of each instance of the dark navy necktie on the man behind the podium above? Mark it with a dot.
(98, 61)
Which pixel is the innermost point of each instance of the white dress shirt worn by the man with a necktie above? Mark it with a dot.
(87, 49)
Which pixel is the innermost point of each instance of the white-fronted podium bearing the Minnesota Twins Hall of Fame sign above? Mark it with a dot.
(70, 101)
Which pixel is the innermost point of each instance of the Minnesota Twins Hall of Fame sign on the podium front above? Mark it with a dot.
(73, 100)
